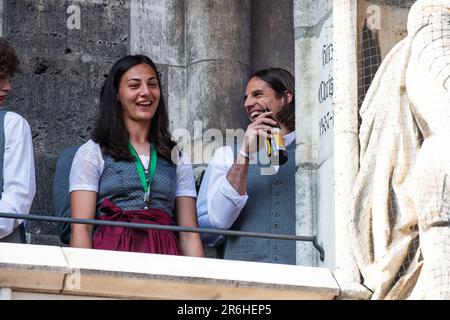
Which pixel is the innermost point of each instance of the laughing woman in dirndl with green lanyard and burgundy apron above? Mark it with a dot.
(132, 171)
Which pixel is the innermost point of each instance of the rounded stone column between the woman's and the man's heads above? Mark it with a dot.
(218, 65)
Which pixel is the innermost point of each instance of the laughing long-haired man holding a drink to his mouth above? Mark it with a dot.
(242, 190)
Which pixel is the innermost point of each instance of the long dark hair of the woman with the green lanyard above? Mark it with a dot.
(110, 131)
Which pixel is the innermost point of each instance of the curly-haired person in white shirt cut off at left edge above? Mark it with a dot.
(17, 176)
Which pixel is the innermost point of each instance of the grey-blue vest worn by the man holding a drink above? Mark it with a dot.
(270, 208)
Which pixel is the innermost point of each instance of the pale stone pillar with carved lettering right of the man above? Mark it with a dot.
(314, 121)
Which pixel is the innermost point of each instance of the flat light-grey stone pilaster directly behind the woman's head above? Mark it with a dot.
(157, 30)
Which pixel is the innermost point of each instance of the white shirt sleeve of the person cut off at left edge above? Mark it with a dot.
(19, 184)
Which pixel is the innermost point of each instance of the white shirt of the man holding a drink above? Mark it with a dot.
(218, 203)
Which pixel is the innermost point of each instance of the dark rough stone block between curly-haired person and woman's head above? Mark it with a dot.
(65, 95)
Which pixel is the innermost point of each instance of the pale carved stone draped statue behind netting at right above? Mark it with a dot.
(400, 215)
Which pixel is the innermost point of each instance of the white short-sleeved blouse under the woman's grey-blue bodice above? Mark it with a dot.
(88, 163)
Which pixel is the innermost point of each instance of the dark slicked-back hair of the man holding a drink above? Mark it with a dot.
(281, 81)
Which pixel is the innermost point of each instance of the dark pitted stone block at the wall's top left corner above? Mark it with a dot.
(42, 27)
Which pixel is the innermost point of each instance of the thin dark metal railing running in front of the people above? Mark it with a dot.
(38, 217)
